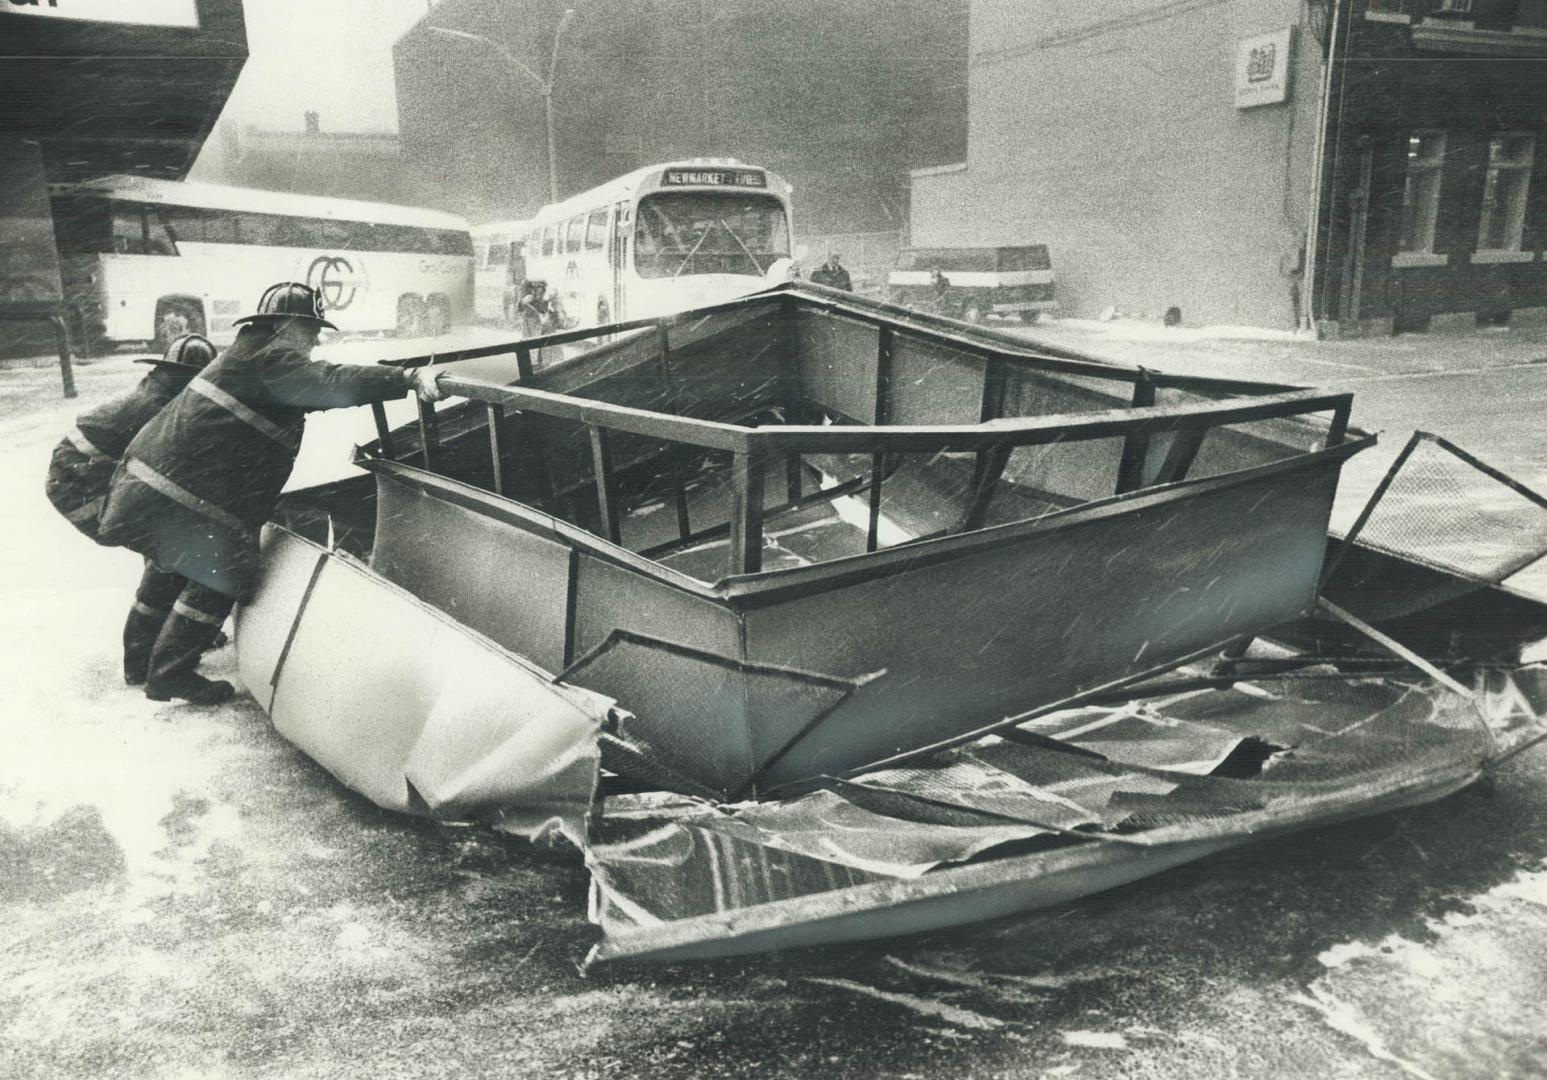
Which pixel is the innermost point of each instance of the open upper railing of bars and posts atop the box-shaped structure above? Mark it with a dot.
(992, 440)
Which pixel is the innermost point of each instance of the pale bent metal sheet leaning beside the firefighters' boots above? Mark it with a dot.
(409, 708)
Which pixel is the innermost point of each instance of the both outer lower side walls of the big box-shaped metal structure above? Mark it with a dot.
(963, 637)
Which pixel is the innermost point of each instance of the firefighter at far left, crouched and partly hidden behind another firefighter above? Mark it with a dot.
(83, 467)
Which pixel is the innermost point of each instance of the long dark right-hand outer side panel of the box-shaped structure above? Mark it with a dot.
(1025, 624)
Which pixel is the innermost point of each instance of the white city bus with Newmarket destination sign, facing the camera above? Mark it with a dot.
(663, 239)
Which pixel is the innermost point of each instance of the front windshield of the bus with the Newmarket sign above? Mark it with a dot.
(709, 233)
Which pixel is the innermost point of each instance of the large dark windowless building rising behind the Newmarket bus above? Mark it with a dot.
(839, 98)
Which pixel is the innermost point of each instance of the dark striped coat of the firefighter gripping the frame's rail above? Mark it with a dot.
(202, 479)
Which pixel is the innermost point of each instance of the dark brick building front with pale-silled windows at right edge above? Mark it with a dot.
(1436, 168)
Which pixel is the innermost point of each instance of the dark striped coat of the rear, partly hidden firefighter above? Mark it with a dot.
(86, 459)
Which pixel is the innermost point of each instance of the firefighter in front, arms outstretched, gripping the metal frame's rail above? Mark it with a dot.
(199, 482)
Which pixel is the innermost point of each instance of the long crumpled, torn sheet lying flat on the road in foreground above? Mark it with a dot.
(1008, 824)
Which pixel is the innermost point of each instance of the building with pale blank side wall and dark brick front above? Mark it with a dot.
(1198, 156)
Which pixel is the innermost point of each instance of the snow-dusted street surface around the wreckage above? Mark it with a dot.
(183, 895)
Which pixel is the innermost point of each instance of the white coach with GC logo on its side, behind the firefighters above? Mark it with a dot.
(151, 259)
